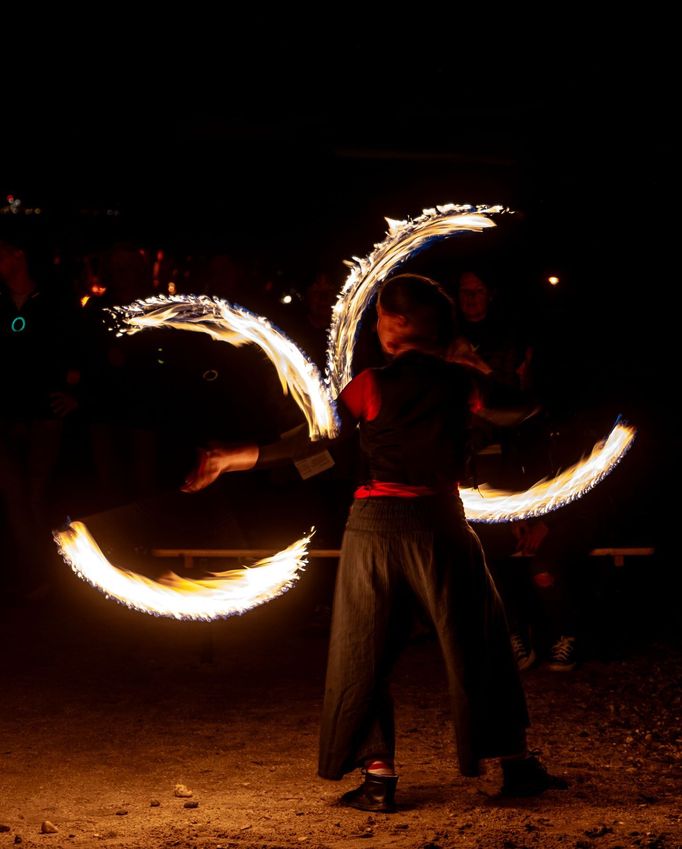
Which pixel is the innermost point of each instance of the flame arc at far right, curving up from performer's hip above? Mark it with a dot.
(486, 504)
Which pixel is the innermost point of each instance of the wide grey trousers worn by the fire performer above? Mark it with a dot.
(398, 552)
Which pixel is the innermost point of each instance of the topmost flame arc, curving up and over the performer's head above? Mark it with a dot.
(404, 239)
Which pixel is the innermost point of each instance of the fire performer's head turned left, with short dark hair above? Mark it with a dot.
(414, 312)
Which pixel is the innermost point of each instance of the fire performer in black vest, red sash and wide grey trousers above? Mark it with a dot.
(407, 542)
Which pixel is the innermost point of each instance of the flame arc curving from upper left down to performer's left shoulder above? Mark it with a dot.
(237, 326)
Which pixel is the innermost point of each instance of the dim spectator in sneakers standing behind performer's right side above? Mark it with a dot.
(535, 589)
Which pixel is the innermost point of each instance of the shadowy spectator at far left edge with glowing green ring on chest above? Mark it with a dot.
(40, 373)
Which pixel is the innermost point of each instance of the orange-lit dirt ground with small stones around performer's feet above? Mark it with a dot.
(103, 711)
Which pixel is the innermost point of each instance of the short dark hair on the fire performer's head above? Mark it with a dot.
(425, 304)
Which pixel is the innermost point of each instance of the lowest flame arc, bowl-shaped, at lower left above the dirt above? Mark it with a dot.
(218, 596)
